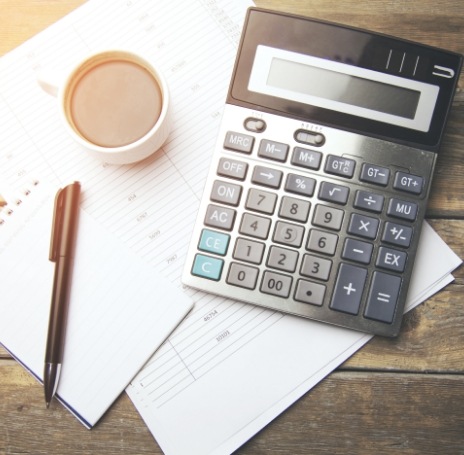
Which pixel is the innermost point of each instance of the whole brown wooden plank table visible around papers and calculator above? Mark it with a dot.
(394, 396)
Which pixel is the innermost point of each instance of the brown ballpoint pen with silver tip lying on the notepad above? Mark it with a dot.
(61, 252)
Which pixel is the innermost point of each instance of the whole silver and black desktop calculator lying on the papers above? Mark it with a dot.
(320, 176)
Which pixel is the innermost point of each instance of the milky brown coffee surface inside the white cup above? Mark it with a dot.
(114, 102)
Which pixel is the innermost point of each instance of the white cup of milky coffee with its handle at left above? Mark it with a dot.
(114, 103)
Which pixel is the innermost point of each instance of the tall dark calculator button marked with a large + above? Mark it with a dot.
(348, 289)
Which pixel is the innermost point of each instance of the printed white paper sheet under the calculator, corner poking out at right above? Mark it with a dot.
(219, 393)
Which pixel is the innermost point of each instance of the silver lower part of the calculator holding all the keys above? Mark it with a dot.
(310, 231)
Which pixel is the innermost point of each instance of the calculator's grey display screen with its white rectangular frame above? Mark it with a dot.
(343, 88)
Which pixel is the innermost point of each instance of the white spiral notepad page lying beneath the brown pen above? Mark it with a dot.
(120, 310)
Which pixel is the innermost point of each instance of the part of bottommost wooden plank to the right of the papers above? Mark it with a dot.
(370, 413)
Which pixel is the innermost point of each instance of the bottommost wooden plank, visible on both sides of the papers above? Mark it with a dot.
(349, 412)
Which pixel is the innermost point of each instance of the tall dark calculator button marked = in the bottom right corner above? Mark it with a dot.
(383, 296)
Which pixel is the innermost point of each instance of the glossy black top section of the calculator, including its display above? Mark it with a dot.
(394, 89)
